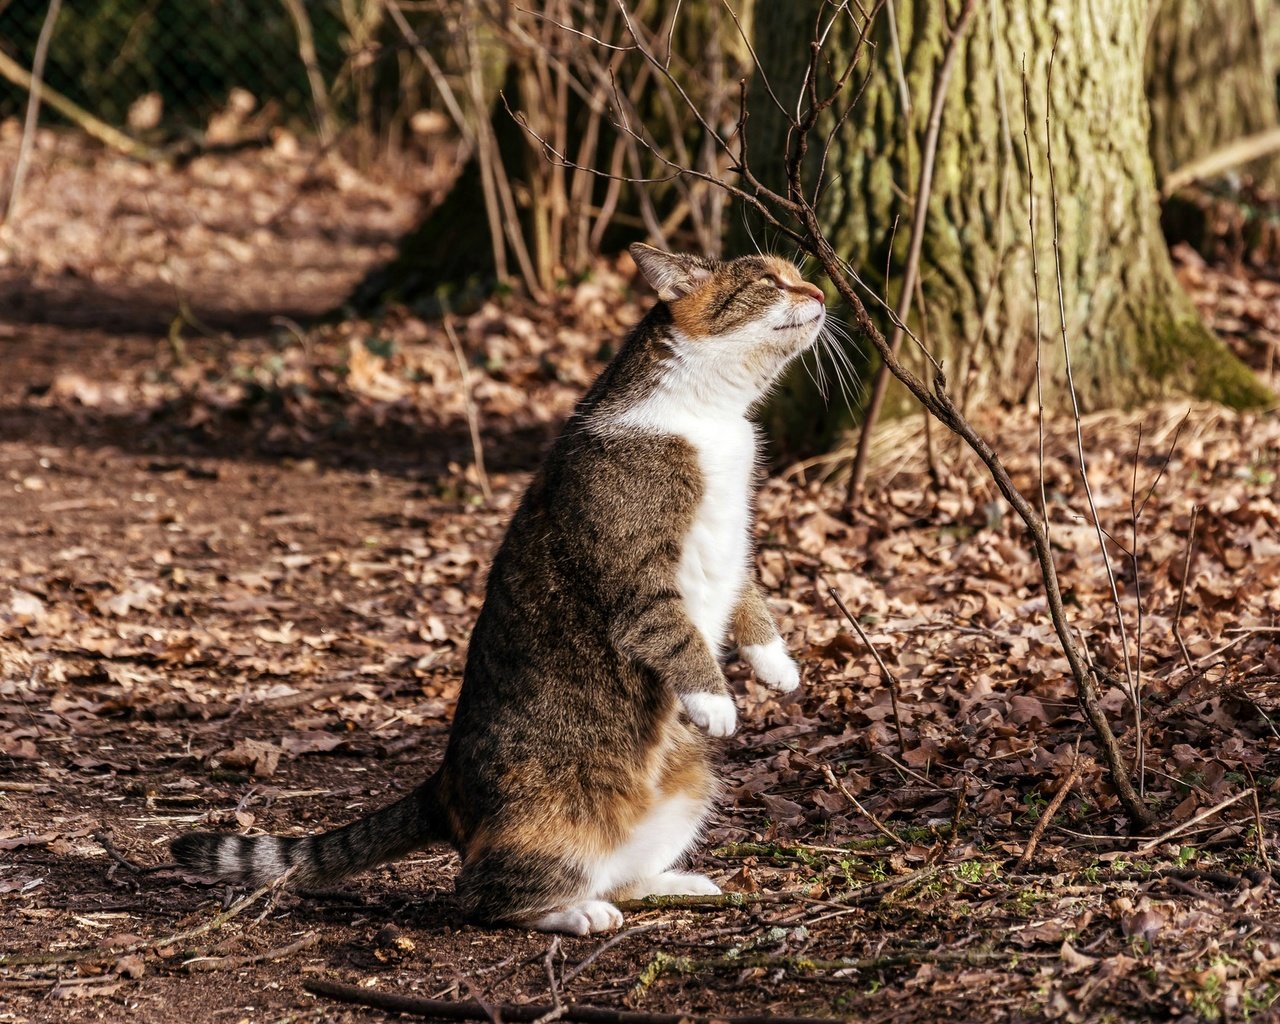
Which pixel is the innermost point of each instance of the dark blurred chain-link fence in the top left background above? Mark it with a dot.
(168, 67)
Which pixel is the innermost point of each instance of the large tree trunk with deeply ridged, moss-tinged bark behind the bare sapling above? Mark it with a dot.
(1133, 333)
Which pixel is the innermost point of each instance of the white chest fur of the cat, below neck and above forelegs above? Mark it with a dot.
(714, 565)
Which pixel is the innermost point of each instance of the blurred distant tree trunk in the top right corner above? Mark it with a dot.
(1210, 81)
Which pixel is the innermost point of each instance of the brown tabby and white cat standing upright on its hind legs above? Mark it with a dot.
(579, 769)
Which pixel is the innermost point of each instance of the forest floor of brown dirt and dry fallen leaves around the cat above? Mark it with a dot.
(241, 555)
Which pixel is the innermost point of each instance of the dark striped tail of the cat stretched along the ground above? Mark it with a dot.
(316, 862)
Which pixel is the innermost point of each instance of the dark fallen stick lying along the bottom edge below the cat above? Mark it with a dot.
(574, 1013)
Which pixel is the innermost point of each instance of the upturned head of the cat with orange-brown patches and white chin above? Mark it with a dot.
(737, 322)
